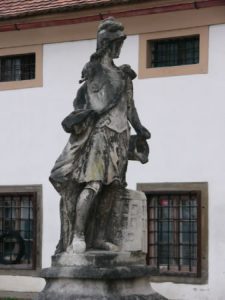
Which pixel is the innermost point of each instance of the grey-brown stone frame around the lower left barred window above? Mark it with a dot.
(37, 256)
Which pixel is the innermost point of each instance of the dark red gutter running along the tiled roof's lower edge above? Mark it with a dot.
(148, 7)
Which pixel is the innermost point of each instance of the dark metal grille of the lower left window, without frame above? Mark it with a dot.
(17, 229)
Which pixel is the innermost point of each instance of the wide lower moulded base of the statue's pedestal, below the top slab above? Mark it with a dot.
(85, 283)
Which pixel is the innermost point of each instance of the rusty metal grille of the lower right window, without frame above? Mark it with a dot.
(174, 224)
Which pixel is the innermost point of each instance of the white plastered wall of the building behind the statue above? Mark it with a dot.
(185, 115)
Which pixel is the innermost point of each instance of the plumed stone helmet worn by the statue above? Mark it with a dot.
(109, 30)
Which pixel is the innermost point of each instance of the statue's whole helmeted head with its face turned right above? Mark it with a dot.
(110, 35)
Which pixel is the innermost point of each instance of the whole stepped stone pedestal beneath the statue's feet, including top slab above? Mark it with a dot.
(98, 275)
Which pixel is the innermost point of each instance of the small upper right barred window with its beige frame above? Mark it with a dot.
(172, 53)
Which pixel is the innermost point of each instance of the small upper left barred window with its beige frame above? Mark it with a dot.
(21, 67)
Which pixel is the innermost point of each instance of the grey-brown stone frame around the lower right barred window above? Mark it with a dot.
(201, 187)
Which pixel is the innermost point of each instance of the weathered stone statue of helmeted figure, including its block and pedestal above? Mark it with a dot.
(97, 211)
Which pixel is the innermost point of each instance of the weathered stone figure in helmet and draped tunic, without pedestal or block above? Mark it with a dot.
(96, 155)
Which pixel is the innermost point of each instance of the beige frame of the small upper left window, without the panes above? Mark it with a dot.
(29, 83)
